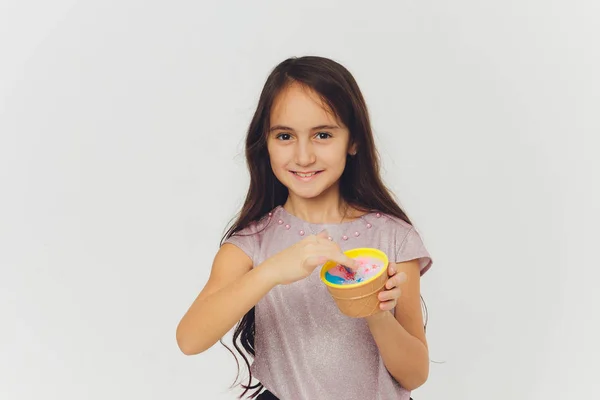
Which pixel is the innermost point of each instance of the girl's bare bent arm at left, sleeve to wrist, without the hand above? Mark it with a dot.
(234, 287)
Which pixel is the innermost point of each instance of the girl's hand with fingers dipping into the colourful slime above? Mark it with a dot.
(300, 260)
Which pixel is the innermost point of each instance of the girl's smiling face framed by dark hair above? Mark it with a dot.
(307, 145)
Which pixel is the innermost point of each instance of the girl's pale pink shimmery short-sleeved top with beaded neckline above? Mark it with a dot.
(305, 347)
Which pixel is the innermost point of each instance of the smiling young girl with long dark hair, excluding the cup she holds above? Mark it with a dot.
(315, 191)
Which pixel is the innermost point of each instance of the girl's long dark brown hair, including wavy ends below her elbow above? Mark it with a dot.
(361, 186)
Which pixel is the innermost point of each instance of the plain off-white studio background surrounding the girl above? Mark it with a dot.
(121, 163)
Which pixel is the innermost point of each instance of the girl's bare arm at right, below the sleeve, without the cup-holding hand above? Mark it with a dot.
(401, 337)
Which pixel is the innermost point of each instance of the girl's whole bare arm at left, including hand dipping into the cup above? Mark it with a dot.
(234, 287)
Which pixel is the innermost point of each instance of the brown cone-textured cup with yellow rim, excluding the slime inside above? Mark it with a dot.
(358, 300)
